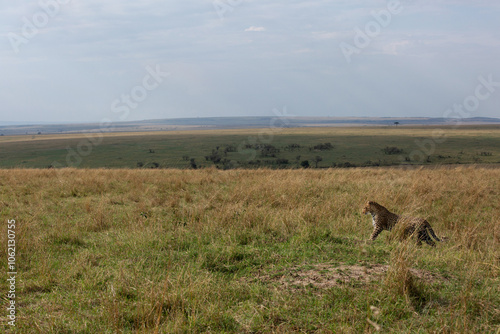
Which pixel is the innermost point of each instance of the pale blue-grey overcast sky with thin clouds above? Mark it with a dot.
(86, 61)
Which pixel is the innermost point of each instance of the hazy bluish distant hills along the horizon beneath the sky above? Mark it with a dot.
(237, 123)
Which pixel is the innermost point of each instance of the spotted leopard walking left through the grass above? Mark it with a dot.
(383, 219)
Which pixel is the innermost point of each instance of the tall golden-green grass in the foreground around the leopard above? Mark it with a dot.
(250, 251)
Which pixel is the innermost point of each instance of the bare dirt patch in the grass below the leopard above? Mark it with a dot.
(328, 275)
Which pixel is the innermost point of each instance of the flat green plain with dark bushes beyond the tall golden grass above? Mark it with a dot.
(352, 146)
